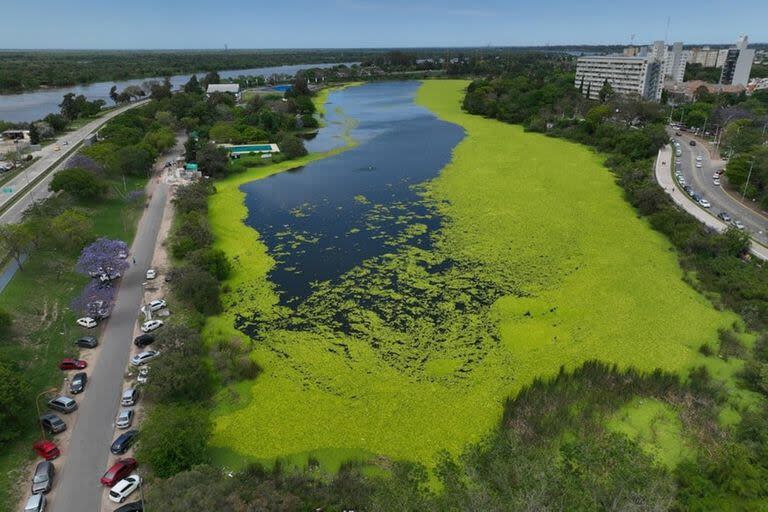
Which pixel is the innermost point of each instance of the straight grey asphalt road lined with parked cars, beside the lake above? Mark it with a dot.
(78, 488)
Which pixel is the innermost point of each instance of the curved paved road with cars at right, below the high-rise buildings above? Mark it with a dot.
(701, 180)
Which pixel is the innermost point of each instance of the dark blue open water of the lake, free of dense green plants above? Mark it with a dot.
(321, 220)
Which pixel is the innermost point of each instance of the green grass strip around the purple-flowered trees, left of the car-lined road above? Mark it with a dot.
(44, 327)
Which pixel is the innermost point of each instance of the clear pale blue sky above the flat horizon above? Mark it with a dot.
(190, 24)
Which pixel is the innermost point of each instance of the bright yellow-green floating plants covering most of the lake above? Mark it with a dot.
(538, 220)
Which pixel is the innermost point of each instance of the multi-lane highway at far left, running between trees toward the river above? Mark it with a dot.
(48, 157)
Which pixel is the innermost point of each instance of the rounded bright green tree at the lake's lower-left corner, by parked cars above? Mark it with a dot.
(174, 438)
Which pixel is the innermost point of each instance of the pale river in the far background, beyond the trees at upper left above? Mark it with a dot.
(34, 105)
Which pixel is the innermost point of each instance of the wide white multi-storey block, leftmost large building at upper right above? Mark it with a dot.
(640, 75)
